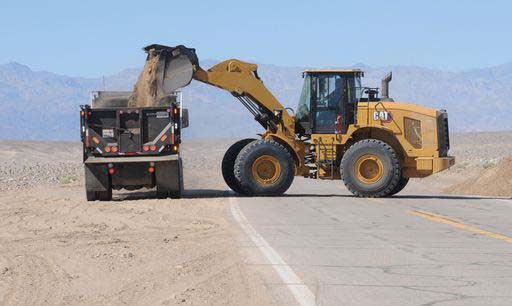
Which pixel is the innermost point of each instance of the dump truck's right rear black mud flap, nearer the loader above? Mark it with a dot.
(169, 178)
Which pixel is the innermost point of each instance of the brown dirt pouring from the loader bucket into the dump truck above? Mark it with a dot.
(146, 91)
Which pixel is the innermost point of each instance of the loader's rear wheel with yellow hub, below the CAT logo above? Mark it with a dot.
(370, 168)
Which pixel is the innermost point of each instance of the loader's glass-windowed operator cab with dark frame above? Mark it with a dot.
(328, 101)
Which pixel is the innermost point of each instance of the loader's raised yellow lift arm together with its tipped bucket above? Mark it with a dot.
(177, 66)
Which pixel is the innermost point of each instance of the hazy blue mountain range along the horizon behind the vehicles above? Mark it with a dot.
(43, 105)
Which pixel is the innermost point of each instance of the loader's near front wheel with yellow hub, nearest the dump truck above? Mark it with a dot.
(264, 168)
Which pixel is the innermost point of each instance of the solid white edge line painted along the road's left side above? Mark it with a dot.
(300, 291)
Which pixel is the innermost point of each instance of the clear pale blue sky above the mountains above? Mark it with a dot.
(90, 38)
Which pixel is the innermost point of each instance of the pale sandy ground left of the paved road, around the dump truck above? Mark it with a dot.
(58, 249)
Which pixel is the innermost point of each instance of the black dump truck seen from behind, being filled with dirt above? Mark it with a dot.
(132, 147)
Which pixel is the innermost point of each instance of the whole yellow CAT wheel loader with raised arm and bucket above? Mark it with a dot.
(340, 130)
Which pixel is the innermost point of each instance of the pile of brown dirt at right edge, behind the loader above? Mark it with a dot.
(493, 181)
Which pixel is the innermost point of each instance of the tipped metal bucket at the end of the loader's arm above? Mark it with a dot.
(176, 64)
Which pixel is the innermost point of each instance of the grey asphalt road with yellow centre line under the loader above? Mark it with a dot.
(411, 249)
